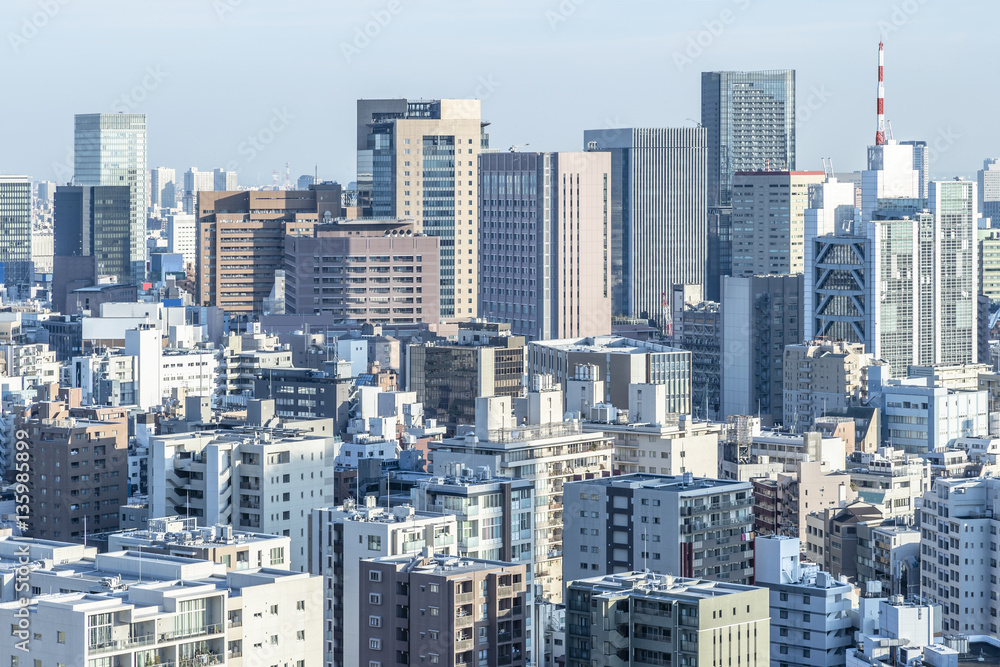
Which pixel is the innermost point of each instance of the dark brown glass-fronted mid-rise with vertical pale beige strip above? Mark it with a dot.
(447, 378)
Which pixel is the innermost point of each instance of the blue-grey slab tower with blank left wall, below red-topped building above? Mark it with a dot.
(760, 316)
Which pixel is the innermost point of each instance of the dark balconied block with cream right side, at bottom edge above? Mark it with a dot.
(638, 618)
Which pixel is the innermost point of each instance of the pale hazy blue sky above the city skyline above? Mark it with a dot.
(258, 83)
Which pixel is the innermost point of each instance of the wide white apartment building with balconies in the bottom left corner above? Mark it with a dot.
(131, 608)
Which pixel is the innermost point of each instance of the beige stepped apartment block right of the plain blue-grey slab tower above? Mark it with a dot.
(821, 377)
